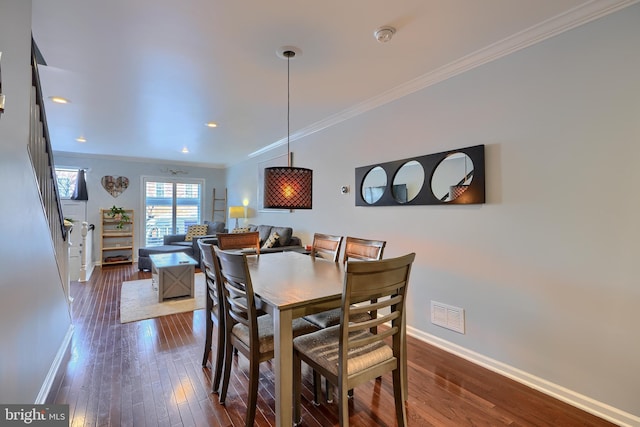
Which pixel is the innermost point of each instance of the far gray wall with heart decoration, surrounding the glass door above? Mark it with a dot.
(132, 197)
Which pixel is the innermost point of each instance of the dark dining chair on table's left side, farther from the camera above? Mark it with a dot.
(214, 312)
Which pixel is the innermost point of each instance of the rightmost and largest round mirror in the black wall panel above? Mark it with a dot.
(452, 177)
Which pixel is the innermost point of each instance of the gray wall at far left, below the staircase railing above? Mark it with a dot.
(34, 316)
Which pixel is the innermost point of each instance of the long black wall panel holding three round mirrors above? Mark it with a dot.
(449, 177)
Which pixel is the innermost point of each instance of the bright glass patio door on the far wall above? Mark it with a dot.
(170, 207)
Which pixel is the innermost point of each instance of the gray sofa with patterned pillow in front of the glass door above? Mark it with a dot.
(179, 243)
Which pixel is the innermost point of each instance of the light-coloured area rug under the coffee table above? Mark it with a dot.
(139, 300)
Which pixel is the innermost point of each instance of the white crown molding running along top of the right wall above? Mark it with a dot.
(568, 20)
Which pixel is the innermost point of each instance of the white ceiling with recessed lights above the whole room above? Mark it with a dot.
(144, 76)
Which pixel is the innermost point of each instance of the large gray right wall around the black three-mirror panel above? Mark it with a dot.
(546, 269)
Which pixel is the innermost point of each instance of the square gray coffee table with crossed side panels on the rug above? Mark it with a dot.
(173, 274)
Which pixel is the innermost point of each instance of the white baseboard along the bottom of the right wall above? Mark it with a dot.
(602, 410)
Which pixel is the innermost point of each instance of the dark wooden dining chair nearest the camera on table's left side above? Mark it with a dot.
(250, 334)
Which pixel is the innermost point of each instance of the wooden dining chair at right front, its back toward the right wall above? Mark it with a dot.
(348, 354)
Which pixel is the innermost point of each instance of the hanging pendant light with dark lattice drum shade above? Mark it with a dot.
(288, 187)
